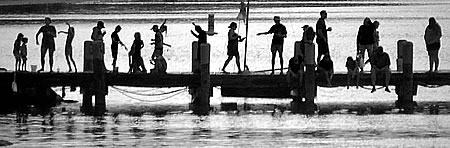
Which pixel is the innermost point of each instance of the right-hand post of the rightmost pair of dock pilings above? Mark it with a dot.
(407, 99)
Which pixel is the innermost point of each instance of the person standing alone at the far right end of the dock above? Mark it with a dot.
(433, 34)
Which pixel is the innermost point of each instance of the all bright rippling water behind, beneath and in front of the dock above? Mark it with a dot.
(256, 128)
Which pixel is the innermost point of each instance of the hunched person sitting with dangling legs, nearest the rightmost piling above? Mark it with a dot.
(380, 62)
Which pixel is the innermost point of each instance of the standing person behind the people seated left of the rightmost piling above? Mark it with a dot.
(365, 39)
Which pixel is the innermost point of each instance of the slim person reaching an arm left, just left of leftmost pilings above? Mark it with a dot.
(68, 49)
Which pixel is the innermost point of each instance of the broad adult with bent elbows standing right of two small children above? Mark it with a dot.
(48, 42)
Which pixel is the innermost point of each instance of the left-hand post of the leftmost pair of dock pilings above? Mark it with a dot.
(86, 106)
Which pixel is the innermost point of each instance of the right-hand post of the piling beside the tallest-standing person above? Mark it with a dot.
(310, 80)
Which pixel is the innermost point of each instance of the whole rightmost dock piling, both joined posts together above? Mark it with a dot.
(405, 89)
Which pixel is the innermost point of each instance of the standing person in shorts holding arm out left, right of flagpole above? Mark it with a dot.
(279, 33)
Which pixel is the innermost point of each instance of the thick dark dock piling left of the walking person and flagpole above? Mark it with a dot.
(200, 66)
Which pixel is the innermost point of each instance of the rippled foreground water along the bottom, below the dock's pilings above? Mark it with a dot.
(243, 130)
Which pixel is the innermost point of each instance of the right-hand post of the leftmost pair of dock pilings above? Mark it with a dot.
(99, 76)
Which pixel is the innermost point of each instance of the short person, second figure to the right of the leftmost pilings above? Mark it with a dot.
(138, 62)
